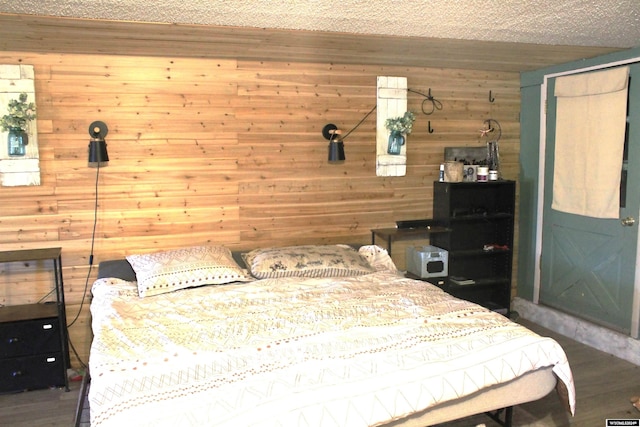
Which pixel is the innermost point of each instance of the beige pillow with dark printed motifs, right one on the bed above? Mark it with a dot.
(306, 261)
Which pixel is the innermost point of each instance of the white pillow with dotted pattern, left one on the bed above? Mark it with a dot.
(167, 271)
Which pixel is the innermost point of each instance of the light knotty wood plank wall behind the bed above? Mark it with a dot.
(206, 151)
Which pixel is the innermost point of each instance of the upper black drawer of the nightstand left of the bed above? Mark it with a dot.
(29, 337)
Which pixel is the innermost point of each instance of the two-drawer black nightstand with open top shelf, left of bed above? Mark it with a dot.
(33, 337)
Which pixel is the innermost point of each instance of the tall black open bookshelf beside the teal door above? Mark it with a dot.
(480, 216)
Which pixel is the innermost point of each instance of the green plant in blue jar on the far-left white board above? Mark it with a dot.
(19, 114)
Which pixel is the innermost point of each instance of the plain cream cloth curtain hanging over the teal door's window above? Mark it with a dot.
(590, 128)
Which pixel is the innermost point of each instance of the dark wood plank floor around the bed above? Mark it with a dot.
(604, 385)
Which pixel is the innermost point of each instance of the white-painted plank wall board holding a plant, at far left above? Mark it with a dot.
(16, 170)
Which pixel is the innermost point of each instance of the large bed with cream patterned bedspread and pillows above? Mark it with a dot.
(301, 336)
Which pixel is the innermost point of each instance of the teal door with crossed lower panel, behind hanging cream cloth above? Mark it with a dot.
(588, 264)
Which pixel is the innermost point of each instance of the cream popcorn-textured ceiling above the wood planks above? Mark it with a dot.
(606, 23)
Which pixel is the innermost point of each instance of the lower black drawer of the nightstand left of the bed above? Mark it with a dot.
(32, 372)
